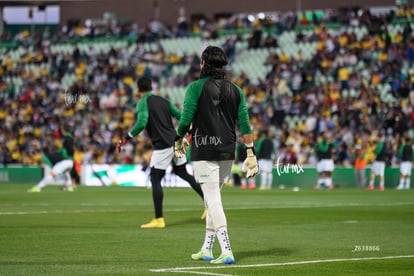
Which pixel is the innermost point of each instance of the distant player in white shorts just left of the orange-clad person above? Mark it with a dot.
(323, 149)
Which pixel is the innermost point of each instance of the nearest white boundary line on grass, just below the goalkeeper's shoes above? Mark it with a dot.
(193, 270)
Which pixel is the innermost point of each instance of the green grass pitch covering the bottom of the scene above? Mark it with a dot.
(95, 231)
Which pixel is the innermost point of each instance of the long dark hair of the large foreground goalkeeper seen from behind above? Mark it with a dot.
(214, 59)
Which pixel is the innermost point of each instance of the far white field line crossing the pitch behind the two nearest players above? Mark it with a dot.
(250, 207)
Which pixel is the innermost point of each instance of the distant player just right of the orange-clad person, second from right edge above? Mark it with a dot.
(378, 167)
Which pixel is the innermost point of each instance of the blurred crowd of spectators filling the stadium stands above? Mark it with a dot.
(101, 111)
